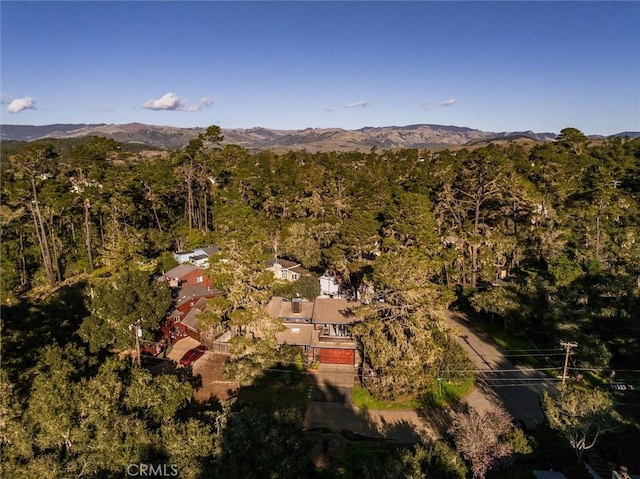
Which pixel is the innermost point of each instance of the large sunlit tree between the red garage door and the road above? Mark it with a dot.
(399, 334)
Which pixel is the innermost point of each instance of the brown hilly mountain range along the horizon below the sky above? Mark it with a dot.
(311, 139)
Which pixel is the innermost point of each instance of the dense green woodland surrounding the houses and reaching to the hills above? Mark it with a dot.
(87, 223)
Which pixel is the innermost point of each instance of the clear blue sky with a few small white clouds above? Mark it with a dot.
(495, 66)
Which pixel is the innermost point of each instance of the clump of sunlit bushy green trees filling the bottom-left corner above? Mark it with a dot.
(86, 421)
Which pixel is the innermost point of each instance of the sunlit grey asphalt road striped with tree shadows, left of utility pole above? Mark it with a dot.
(517, 388)
